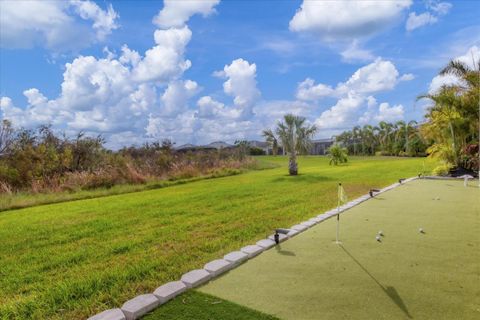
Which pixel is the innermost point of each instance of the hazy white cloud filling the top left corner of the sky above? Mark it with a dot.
(55, 25)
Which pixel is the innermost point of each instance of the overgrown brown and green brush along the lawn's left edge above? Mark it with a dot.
(42, 161)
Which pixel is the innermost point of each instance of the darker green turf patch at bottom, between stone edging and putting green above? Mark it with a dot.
(201, 306)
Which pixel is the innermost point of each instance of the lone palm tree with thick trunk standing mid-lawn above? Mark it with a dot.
(296, 136)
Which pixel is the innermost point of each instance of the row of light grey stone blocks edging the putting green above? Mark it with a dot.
(142, 304)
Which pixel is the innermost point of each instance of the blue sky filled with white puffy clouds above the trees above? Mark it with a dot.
(196, 71)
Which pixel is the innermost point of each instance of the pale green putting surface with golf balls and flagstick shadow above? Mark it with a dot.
(434, 275)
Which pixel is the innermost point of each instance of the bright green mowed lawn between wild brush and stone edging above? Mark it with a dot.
(73, 259)
